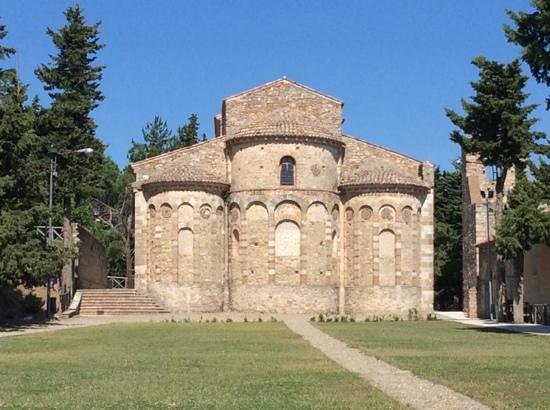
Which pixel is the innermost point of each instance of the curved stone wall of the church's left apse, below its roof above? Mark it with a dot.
(185, 245)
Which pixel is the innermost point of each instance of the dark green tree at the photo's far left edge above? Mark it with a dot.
(25, 257)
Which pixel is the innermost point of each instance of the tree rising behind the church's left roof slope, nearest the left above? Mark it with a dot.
(157, 139)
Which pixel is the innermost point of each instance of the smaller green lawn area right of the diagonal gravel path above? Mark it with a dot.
(501, 369)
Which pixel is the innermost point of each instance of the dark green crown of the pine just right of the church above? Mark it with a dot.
(497, 123)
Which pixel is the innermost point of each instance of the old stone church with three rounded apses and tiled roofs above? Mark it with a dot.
(282, 212)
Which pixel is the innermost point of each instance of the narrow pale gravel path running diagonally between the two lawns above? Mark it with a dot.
(400, 384)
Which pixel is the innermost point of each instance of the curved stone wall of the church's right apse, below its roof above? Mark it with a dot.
(383, 249)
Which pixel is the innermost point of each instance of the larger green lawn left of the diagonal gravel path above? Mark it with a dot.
(234, 365)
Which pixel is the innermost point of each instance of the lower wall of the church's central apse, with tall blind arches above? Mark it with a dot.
(282, 240)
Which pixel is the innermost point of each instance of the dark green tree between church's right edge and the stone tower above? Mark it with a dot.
(448, 239)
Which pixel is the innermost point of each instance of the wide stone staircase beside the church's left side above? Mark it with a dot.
(94, 302)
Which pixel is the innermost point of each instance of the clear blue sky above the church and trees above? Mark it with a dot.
(395, 64)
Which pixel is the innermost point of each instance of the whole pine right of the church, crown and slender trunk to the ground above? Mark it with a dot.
(497, 127)
